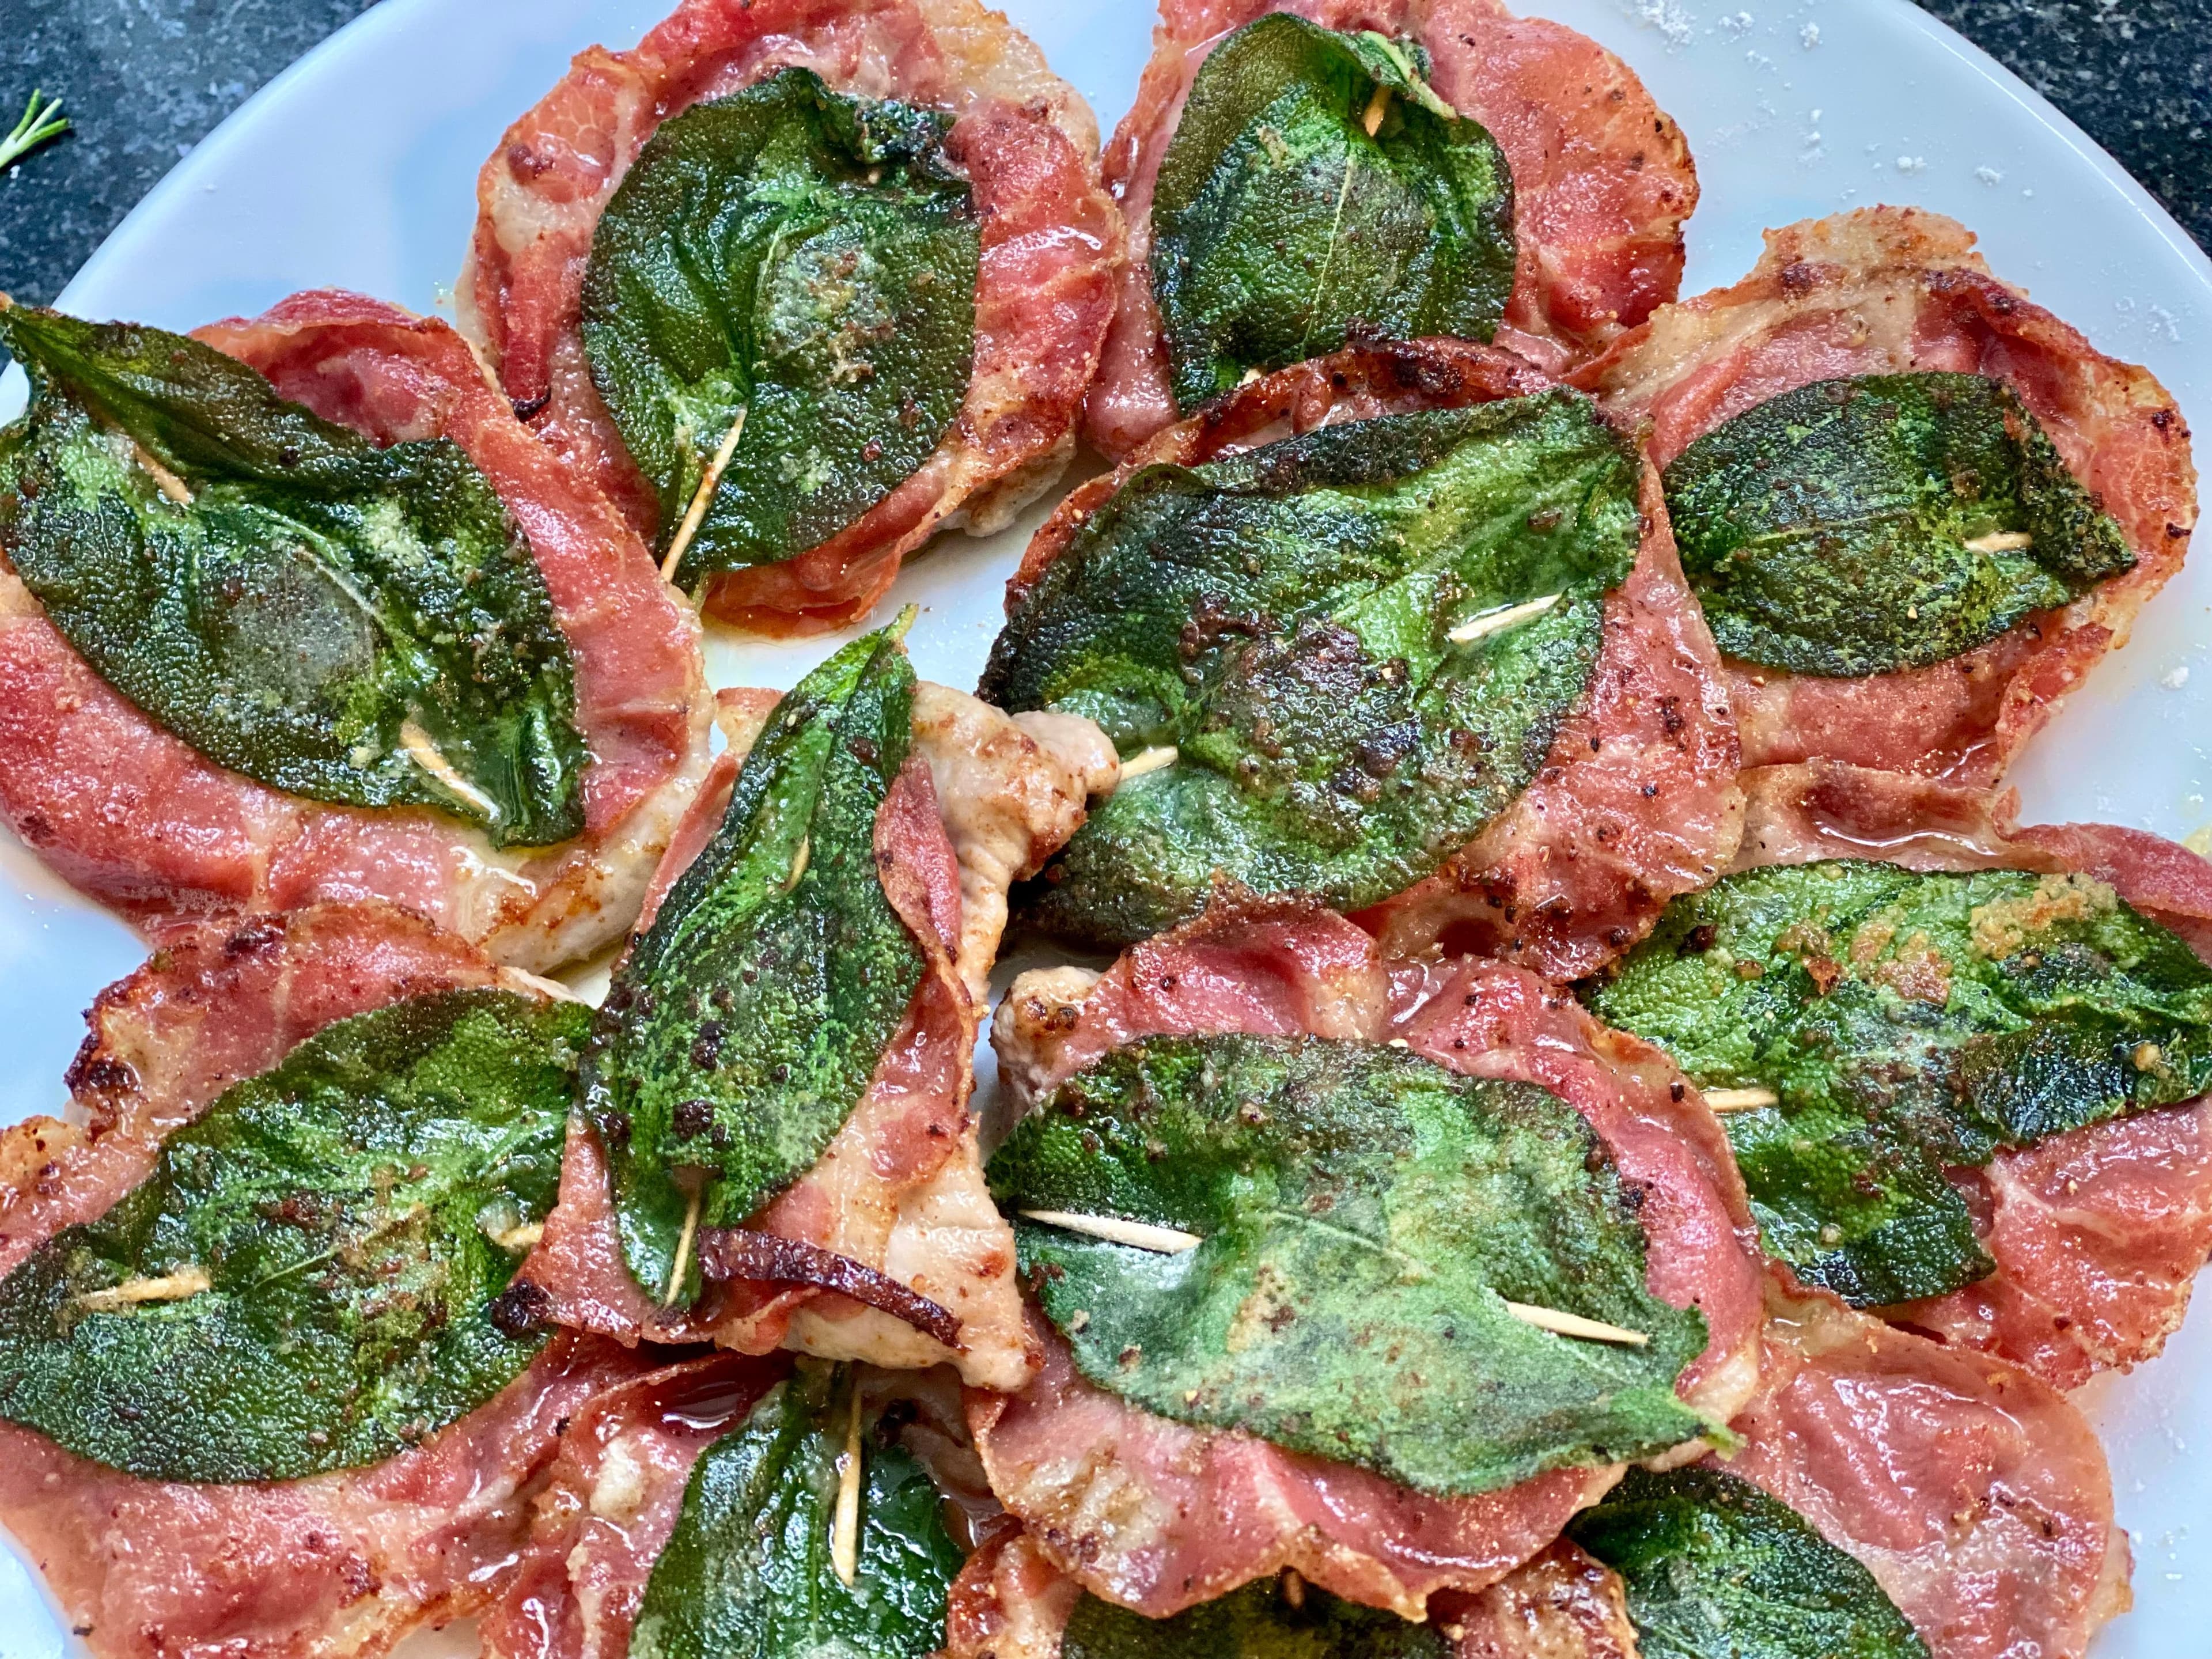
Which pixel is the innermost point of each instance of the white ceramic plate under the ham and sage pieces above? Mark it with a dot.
(357, 169)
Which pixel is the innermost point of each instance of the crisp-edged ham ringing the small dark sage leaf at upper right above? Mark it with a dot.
(1890, 291)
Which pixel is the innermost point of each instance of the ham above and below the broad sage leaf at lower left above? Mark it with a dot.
(262, 1572)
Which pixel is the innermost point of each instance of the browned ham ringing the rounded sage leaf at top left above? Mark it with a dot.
(1052, 247)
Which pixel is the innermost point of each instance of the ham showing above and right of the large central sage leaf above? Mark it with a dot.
(1638, 800)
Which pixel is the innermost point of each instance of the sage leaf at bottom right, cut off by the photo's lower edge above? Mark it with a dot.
(1715, 1569)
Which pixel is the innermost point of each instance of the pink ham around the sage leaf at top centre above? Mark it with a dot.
(1603, 180)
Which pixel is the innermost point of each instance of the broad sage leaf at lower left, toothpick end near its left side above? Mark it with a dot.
(311, 1277)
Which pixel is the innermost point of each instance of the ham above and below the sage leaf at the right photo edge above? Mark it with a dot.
(2098, 1233)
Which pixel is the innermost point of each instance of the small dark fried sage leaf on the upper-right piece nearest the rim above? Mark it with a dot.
(1895, 521)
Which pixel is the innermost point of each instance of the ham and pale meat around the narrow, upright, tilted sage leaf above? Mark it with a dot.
(901, 1187)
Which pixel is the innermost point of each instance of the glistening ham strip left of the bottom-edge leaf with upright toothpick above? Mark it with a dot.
(609, 1503)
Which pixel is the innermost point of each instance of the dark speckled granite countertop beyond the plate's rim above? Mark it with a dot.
(154, 76)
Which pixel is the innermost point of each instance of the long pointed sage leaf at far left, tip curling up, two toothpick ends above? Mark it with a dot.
(337, 620)
